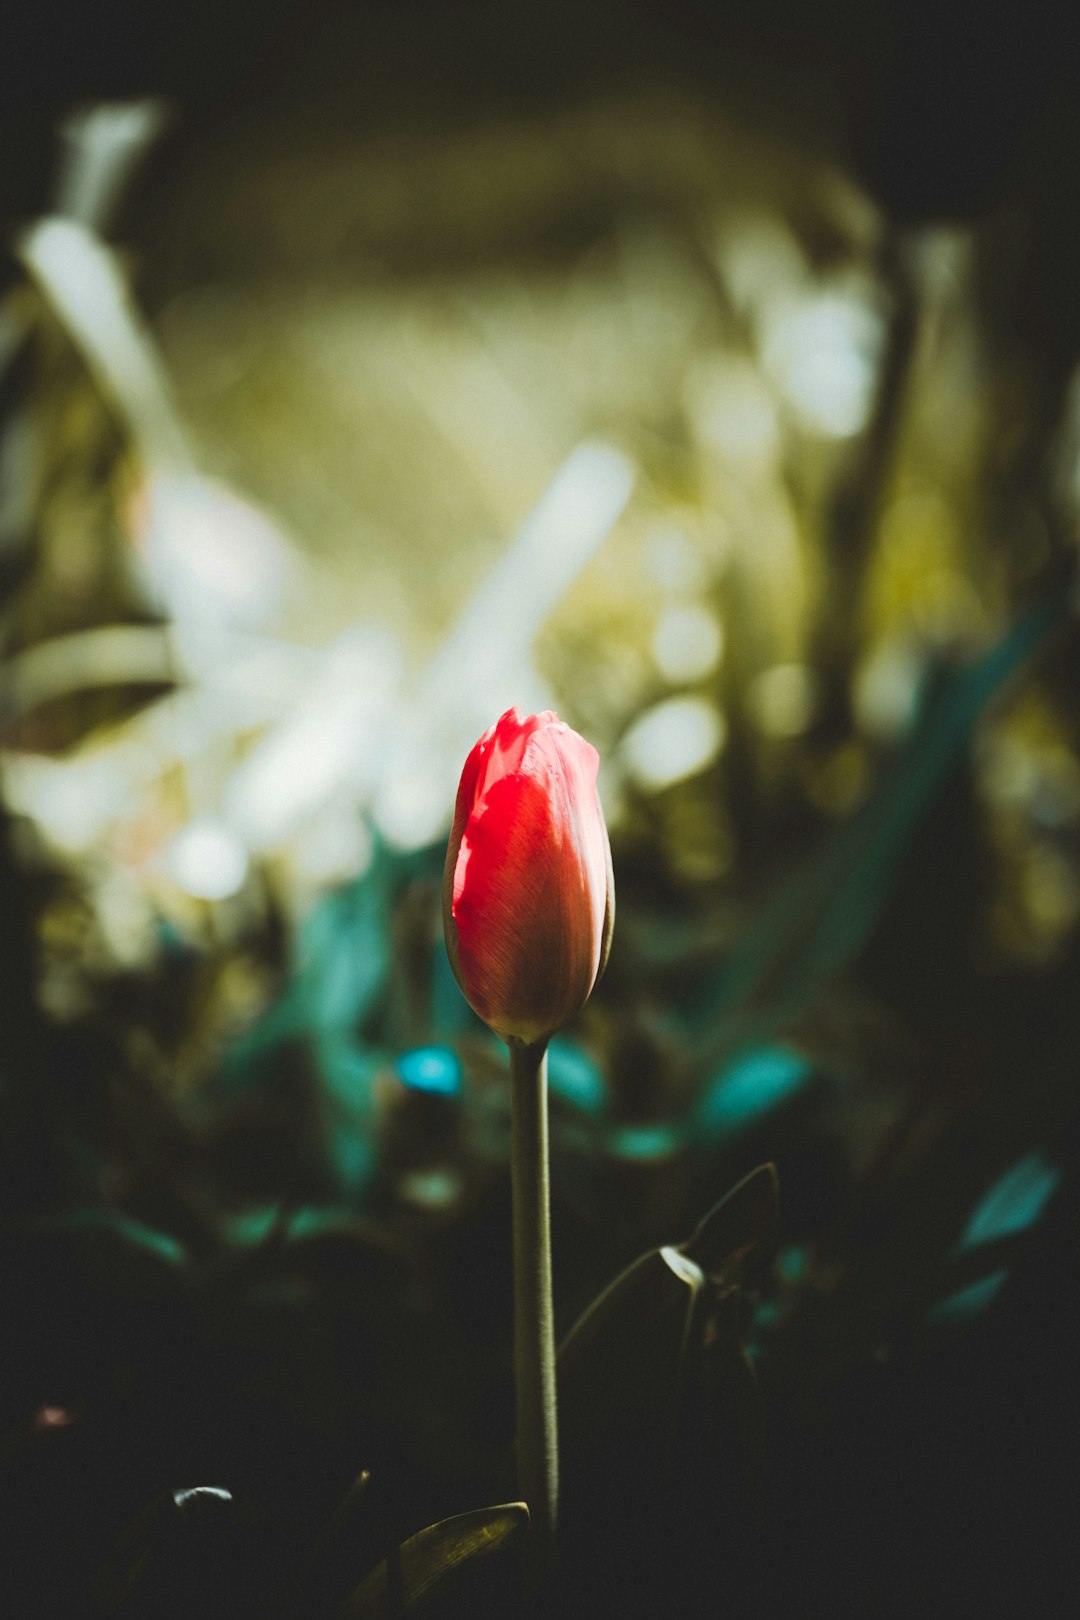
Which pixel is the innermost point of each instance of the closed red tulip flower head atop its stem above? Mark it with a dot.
(529, 893)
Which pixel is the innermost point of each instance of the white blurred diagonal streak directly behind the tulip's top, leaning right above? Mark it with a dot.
(487, 663)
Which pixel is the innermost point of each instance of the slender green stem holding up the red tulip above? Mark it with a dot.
(534, 1311)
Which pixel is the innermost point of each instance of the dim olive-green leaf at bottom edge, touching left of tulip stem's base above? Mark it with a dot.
(438, 1564)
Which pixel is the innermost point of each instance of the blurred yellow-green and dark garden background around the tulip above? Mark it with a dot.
(705, 373)
